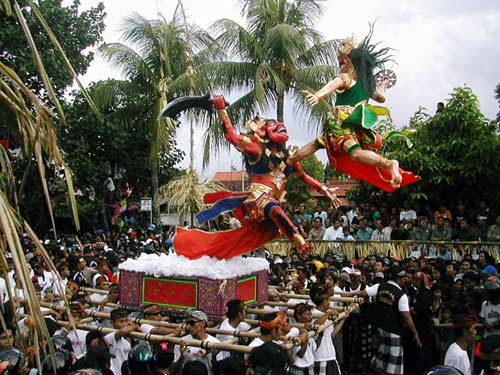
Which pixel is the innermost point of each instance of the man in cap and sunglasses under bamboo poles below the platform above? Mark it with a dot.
(196, 324)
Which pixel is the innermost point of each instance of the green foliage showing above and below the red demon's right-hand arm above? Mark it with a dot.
(297, 191)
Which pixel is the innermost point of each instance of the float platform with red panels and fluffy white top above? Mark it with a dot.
(205, 284)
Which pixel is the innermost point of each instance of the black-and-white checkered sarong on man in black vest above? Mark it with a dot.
(389, 356)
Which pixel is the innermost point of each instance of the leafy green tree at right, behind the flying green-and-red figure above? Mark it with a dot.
(457, 154)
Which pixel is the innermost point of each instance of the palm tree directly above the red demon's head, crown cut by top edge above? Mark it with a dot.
(278, 53)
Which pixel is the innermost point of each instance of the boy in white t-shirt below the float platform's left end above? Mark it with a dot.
(119, 346)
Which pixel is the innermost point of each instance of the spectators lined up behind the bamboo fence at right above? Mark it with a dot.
(366, 221)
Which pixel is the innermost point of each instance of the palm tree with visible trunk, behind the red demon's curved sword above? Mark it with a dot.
(161, 66)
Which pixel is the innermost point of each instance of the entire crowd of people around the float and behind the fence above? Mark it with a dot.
(415, 313)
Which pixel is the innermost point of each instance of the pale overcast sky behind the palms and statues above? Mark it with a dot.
(439, 45)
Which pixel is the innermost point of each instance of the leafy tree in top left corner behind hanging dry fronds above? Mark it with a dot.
(75, 31)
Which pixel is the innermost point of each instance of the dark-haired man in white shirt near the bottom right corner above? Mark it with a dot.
(465, 331)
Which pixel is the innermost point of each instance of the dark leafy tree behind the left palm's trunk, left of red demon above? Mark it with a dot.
(91, 148)
